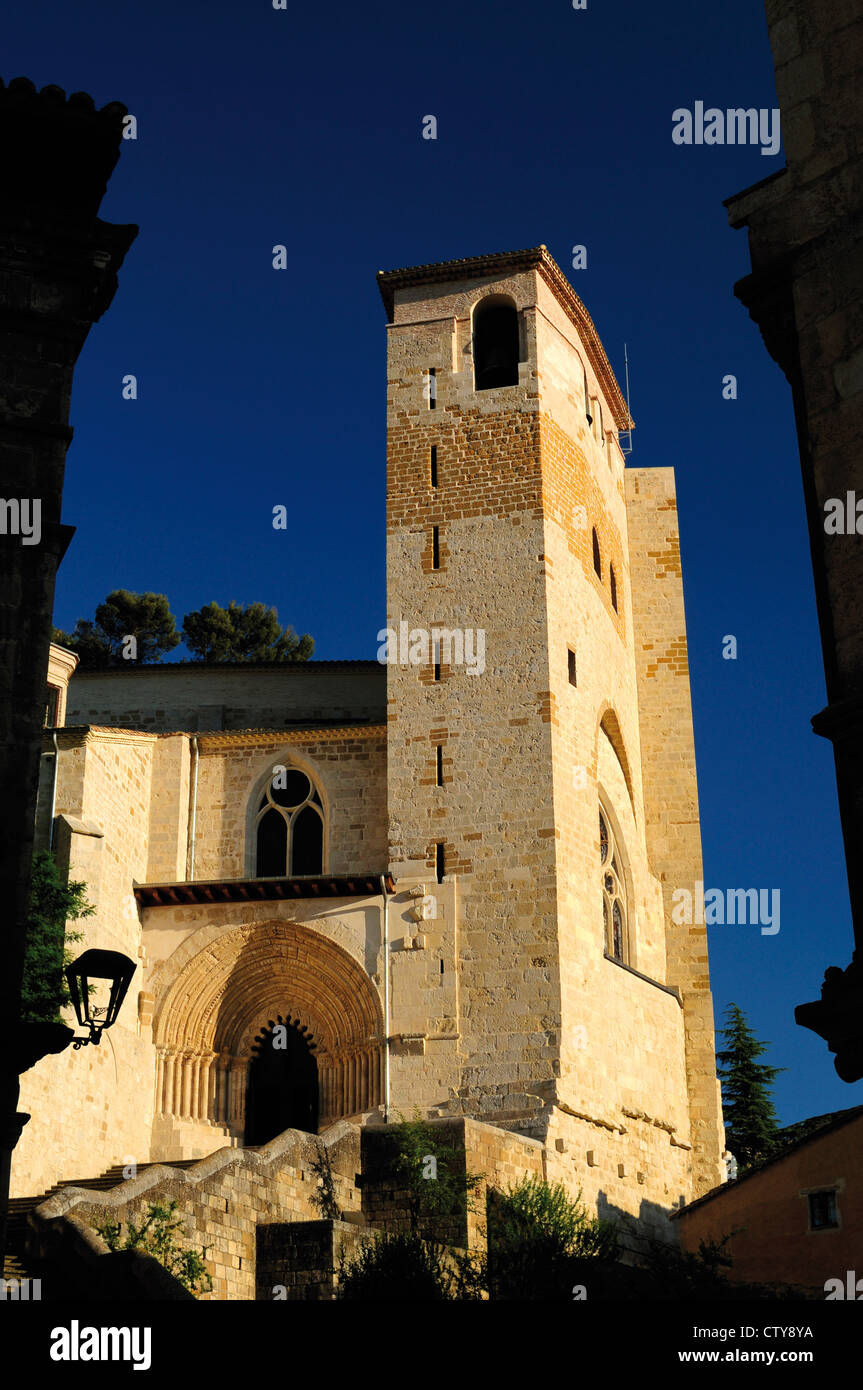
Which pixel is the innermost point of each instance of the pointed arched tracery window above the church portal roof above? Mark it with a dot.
(290, 828)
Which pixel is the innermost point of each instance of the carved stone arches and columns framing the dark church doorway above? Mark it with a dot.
(236, 988)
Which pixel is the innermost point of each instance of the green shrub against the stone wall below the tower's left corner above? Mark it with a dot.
(438, 1189)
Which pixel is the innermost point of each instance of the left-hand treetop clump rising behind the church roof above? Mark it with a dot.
(144, 616)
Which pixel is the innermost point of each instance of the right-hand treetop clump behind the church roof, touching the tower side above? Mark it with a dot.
(243, 635)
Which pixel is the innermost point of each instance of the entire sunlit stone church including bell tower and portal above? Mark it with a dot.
(444, 875)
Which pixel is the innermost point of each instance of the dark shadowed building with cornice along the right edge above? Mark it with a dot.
(807, 295)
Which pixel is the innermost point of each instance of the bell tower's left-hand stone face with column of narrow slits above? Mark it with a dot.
(494, 814)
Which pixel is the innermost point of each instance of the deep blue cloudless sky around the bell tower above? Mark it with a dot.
(304, 127)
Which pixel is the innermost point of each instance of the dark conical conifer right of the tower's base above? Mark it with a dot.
(751, 1122)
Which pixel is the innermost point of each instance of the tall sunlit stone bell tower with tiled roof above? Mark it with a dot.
(540, 982)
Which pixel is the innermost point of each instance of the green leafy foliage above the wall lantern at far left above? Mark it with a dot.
(54, 903)
